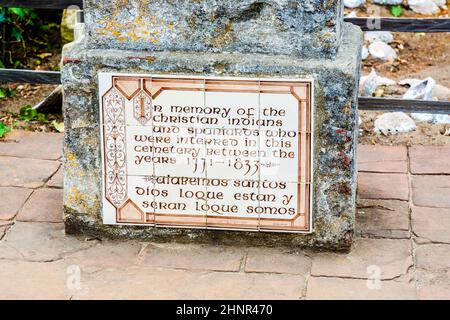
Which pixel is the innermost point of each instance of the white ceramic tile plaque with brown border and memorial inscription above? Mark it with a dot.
(211, 153)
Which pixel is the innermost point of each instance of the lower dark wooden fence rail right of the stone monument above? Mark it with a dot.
(390, 105)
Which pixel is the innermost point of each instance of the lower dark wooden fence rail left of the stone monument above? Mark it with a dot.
(30, 76)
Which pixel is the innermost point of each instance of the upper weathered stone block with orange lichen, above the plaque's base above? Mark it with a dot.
(306, 28)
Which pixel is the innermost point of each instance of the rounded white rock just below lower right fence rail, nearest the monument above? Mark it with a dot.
(393, 123)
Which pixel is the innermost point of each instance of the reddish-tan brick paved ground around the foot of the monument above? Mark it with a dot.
(403, 238)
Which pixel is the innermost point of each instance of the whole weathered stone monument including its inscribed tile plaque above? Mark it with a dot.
(225, 121)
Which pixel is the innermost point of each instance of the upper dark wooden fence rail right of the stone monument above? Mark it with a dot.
(401, 24)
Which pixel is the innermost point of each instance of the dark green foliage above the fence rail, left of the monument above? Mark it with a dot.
(24, 34)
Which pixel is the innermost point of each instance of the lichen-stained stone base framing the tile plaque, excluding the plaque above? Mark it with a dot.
(335, 135)
